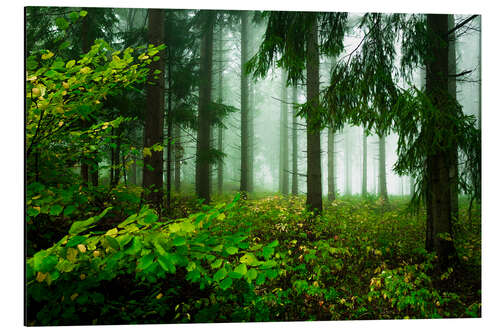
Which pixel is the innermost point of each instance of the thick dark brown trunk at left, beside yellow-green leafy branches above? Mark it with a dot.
(152, 179)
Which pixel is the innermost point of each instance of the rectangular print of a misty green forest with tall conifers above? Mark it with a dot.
(233, 166)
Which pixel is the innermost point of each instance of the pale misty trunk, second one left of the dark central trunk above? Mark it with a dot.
(284, 170)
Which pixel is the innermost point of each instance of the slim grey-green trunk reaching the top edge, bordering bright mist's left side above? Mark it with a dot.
(244, 180)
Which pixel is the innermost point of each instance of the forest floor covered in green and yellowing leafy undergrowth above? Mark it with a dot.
(261, 259)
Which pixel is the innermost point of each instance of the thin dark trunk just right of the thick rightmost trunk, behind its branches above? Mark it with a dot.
(452, 90)
